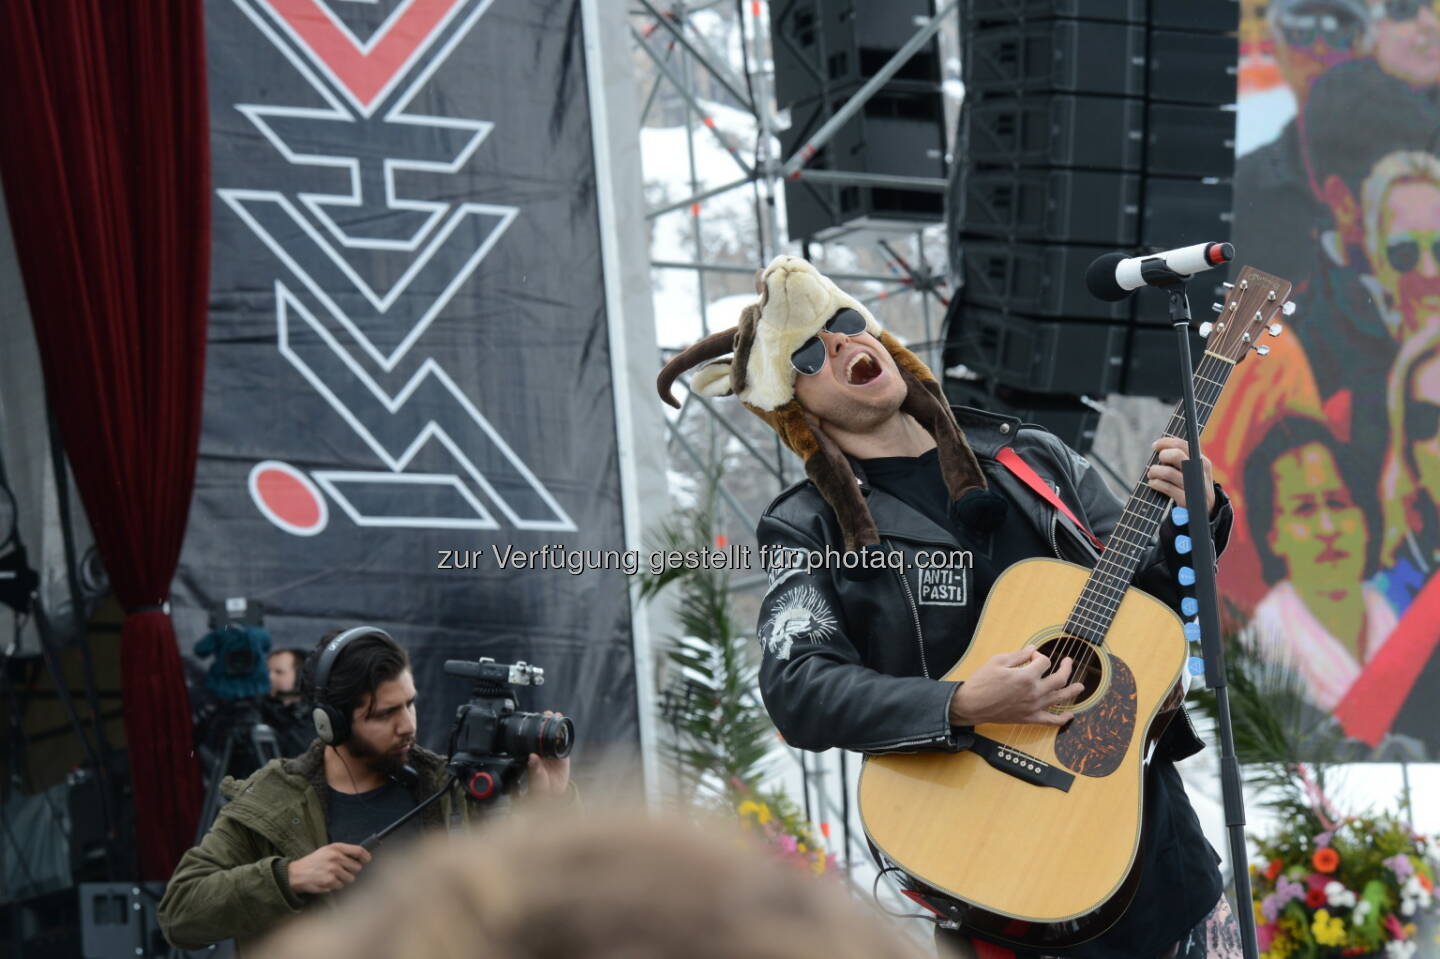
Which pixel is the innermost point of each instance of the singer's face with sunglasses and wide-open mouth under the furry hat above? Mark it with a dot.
(846, 378)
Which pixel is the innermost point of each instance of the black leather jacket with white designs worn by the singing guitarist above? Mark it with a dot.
(855, 663)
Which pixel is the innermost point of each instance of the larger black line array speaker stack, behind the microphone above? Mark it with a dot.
(1089, 126)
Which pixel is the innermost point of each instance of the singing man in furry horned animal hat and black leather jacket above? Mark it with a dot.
(853, 656)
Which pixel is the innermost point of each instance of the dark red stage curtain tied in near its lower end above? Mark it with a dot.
(104, 152)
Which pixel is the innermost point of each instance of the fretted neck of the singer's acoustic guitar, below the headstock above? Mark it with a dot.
(1141, 519)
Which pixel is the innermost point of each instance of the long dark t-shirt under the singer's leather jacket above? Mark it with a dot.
(1179, 879)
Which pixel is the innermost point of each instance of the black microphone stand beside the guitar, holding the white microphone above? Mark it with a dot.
(1203, 557)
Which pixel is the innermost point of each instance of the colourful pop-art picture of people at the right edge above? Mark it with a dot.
(1331, 446)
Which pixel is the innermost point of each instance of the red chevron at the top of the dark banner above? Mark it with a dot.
(364, 73)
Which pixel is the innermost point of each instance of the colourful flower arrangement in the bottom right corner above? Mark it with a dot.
(1357, 889)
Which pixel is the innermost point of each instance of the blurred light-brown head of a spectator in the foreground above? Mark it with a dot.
(611, 886)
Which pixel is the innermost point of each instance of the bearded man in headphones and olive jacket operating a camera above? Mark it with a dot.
(292, 833)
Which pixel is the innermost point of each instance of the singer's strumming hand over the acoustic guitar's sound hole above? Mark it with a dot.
(1013, 688)
